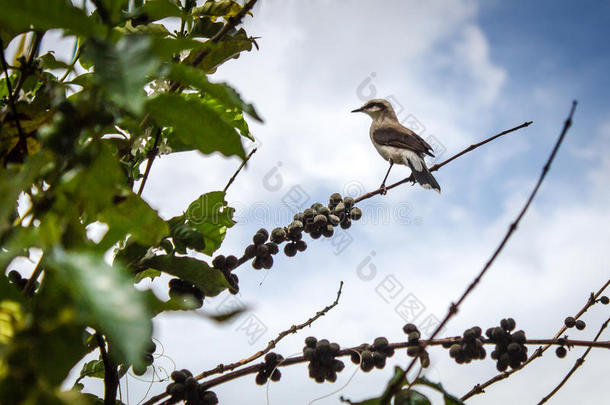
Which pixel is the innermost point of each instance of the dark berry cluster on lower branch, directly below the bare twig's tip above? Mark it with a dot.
(323, 366)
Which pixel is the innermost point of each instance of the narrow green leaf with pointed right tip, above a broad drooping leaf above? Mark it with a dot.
(222, 92)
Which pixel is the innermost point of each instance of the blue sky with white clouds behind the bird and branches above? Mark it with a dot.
(457, 71)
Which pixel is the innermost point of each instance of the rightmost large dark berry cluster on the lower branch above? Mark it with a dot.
(510, 349)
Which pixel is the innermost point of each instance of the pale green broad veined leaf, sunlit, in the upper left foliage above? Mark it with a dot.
(123, 69)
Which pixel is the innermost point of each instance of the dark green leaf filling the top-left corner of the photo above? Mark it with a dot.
(20, 15)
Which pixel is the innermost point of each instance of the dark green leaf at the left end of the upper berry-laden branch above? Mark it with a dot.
(209, 280)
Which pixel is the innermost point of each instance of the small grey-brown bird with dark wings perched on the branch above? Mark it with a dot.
(398, 144)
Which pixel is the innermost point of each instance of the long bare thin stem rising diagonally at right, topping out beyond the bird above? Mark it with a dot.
(453, 309)
